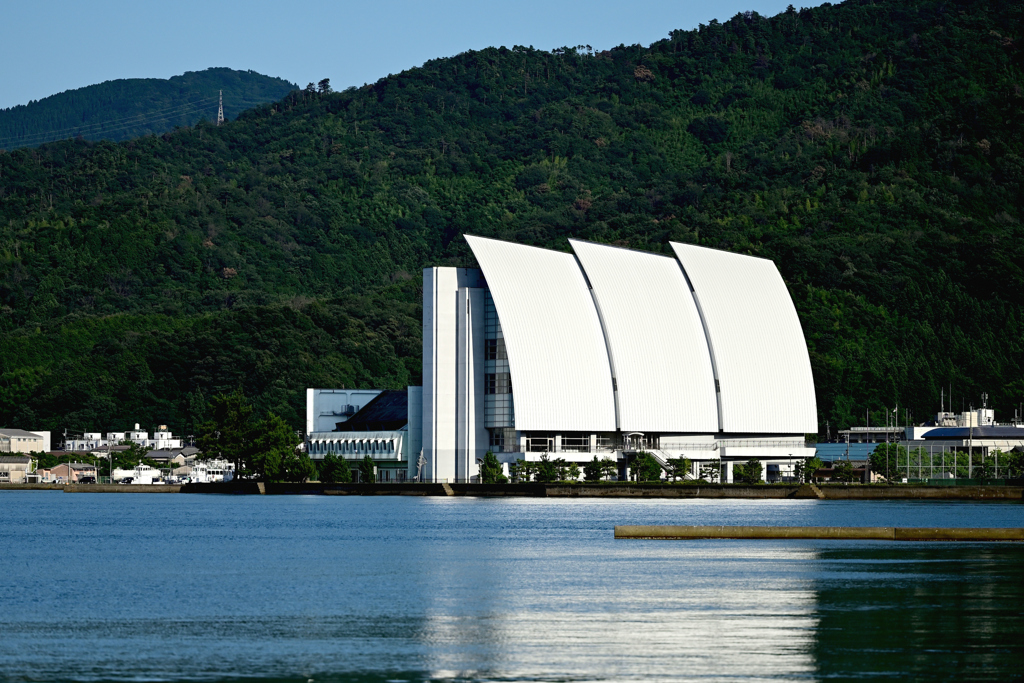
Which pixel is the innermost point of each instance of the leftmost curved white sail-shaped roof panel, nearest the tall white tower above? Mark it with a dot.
(562, 379)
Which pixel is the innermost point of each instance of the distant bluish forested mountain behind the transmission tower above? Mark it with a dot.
(131, 108)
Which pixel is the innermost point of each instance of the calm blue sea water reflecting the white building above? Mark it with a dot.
(139, 588)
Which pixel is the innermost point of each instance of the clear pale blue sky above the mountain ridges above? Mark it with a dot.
(48, 47)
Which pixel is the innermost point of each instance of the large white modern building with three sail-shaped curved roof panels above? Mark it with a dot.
(607, 352)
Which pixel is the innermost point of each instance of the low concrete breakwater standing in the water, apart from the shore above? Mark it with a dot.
(837, 533)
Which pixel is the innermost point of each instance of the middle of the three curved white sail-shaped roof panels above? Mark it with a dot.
(659, 350)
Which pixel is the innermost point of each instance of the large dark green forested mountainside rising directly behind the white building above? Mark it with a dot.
(873, 150)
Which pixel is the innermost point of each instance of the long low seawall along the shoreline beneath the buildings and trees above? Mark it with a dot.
(624, 490)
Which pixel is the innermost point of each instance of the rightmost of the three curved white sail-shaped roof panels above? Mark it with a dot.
(756, 340)
